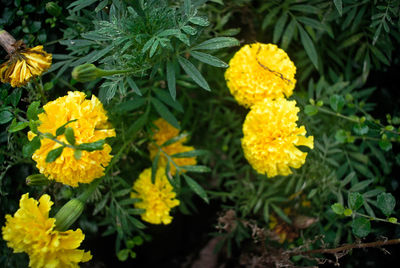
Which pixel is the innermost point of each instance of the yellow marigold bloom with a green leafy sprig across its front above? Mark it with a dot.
(91, 126)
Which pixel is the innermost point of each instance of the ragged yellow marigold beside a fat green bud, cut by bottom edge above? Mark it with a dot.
(31, 230)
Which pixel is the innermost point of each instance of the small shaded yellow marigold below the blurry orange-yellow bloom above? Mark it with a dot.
(157, 199)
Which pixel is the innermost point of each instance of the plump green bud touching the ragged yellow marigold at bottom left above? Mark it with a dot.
(68, 214)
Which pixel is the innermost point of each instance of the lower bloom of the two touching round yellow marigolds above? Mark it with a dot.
(270, 137)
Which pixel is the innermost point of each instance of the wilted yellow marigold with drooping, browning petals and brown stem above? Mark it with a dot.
(24, 64)
